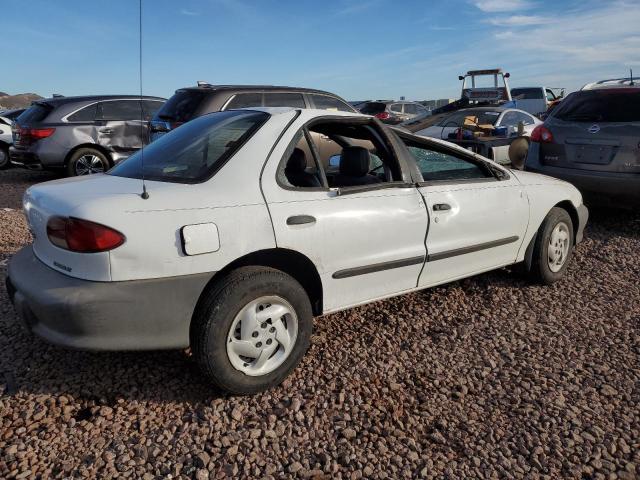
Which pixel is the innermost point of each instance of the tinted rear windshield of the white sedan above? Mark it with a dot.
(196, 150)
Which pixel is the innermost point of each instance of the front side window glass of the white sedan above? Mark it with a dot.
(443, 166)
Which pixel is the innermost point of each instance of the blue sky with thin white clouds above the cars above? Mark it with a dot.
(357, 49)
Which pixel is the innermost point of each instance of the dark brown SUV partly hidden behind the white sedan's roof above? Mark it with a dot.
(191, 102)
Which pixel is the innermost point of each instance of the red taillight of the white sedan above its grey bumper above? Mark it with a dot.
(82, 236)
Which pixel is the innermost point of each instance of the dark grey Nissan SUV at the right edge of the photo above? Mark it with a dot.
(592, 139)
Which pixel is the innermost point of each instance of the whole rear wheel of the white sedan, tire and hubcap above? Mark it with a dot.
(251, 329)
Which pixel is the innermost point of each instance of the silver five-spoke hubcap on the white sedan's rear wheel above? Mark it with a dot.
(262, 335)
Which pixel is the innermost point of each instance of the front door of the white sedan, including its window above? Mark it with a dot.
(478, 212)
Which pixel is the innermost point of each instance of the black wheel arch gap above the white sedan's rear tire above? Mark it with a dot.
(291, 262)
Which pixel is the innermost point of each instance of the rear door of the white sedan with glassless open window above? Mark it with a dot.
(367, 241)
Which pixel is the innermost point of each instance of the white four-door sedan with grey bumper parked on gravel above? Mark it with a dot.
(242, 231)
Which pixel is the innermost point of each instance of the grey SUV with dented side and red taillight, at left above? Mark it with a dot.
(82, 134)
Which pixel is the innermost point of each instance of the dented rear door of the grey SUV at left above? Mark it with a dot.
(120, 125)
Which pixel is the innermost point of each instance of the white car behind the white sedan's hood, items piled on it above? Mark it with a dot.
(496, 116)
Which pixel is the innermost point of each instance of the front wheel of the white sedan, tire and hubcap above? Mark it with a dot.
(553, 247)
